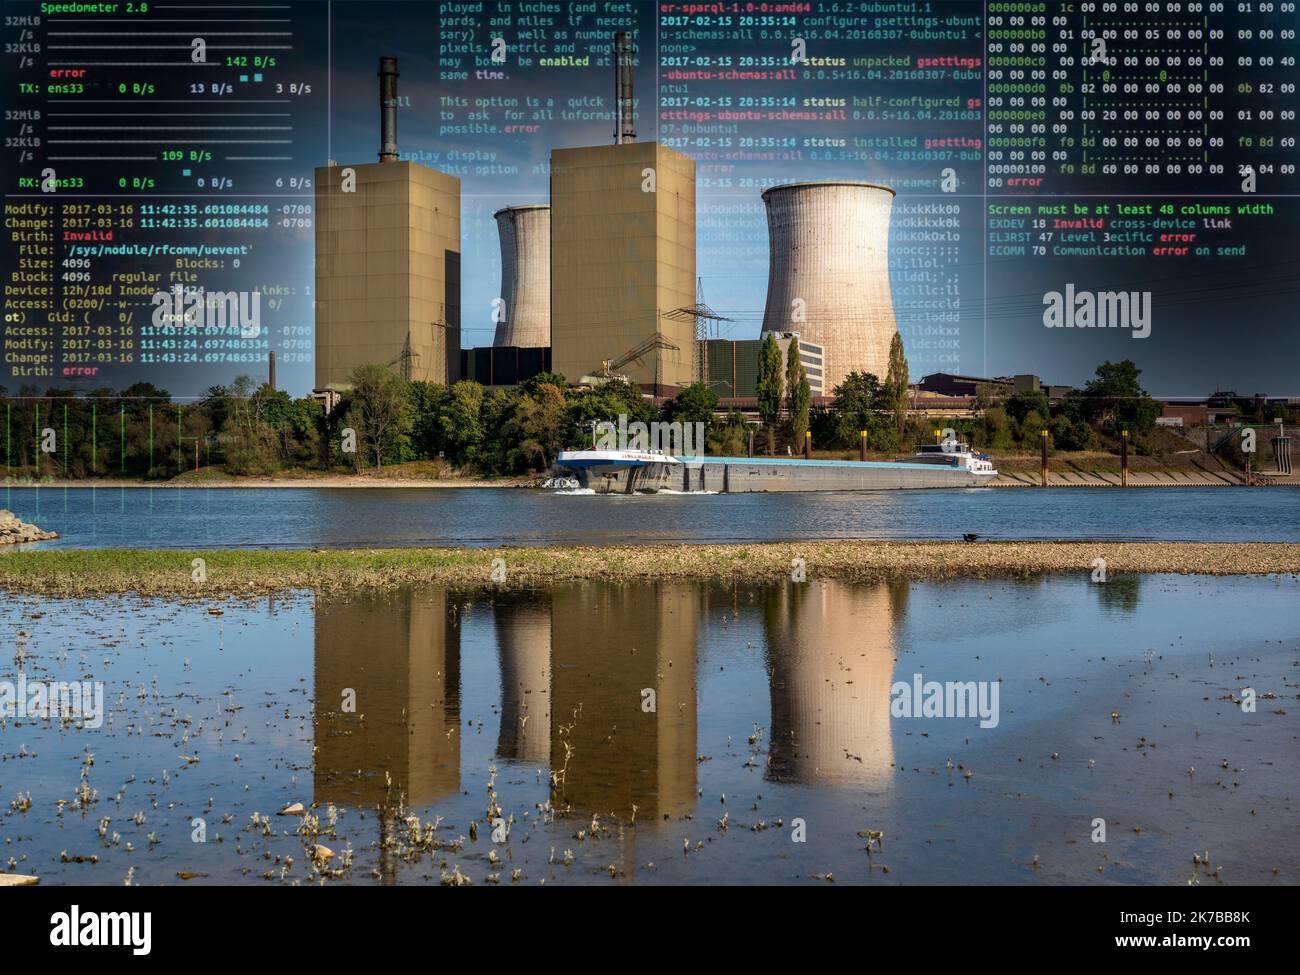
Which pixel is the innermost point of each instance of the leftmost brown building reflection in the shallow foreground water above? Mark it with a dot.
(397, 657)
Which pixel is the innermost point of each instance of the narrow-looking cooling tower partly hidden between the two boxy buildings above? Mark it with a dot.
(526, 276)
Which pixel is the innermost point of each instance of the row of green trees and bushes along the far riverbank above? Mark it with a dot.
(470, 431)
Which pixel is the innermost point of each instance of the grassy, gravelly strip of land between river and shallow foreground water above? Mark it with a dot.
(168, 573)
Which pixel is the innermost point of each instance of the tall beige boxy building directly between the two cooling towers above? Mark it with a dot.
(623, 258)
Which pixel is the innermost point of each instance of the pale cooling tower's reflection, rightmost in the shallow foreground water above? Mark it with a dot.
(831, 652)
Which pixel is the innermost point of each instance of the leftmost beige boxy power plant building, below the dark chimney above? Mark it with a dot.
(388, 272)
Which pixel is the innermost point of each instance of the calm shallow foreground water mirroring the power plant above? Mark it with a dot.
(673, 733)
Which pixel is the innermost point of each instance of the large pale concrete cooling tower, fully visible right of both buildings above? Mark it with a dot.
(829, 276)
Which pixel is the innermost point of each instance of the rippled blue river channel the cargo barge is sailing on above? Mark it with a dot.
(287, 518)
